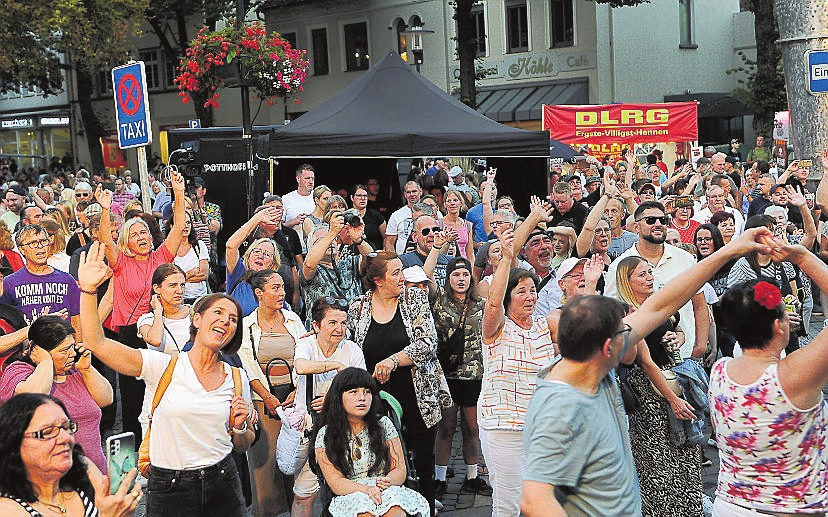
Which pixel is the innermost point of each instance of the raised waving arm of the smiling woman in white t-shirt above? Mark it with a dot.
(92, 273)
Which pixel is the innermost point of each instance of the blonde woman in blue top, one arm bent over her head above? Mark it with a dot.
(260, 255)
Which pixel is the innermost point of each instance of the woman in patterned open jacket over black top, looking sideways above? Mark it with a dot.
(394, 327)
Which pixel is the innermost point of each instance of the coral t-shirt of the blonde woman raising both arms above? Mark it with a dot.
(133, 285)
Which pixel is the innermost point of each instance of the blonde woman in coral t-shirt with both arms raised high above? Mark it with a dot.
(133, 260)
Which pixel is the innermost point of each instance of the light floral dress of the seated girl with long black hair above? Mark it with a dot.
(357, 503)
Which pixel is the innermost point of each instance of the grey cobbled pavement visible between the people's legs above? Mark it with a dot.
(456, 504)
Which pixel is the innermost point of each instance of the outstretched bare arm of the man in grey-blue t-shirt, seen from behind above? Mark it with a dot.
(677, 292)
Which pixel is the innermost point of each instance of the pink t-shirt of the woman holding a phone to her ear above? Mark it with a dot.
(79, 402)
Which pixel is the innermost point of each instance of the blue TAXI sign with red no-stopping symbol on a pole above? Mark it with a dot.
(131, 105)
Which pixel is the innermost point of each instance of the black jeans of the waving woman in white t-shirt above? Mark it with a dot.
(207, 492)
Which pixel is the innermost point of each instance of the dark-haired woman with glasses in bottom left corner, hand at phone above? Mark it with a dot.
(44, 469)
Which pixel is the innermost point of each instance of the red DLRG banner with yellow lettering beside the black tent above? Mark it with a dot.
(622, 123)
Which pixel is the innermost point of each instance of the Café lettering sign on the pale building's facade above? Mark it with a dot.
(532, 65)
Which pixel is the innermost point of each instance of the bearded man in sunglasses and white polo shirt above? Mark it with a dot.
(668, 262)
